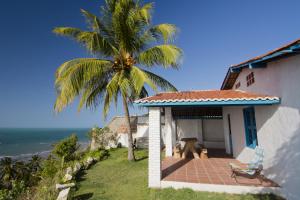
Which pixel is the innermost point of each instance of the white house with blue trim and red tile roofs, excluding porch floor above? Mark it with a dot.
(258, 104)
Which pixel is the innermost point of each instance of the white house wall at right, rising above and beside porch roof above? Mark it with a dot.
(278, 126)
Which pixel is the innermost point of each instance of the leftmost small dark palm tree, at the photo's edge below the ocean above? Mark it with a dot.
(7, 172)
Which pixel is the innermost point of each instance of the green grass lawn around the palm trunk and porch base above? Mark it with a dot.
(118, 179)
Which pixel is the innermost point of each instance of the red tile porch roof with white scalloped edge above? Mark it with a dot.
(205, 95)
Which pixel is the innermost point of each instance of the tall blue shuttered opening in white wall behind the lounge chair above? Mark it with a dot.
(250, 127)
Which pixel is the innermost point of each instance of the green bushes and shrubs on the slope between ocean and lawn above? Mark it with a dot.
(37, 178)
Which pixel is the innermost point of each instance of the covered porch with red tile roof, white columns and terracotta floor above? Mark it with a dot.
(203, 116)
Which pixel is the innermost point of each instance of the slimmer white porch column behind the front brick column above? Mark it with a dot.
(169, 131)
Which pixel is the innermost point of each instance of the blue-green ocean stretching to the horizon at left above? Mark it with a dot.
(22, 143)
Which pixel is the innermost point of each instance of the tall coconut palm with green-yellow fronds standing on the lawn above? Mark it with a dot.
(124, 45)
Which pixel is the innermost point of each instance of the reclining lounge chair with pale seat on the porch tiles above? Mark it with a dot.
(253, 169)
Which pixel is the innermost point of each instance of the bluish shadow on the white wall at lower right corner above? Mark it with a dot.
(287, 167)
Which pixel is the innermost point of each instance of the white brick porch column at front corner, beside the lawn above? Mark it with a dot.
(154, 162)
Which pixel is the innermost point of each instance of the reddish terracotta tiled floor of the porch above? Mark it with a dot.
(214, 170)
